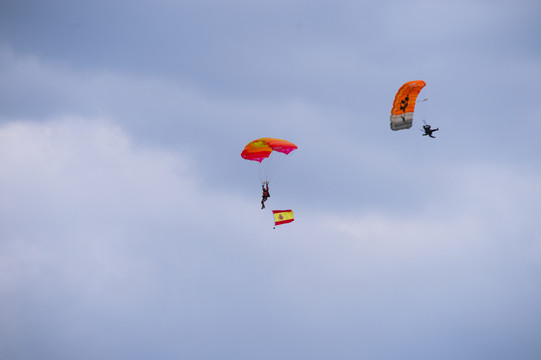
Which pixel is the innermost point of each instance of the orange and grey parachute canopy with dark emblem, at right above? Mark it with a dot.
(404, 104)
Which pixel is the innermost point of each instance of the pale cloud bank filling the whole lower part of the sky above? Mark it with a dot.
(145, 261)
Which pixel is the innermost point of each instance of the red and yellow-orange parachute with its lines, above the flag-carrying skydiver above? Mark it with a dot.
(270, 153)
